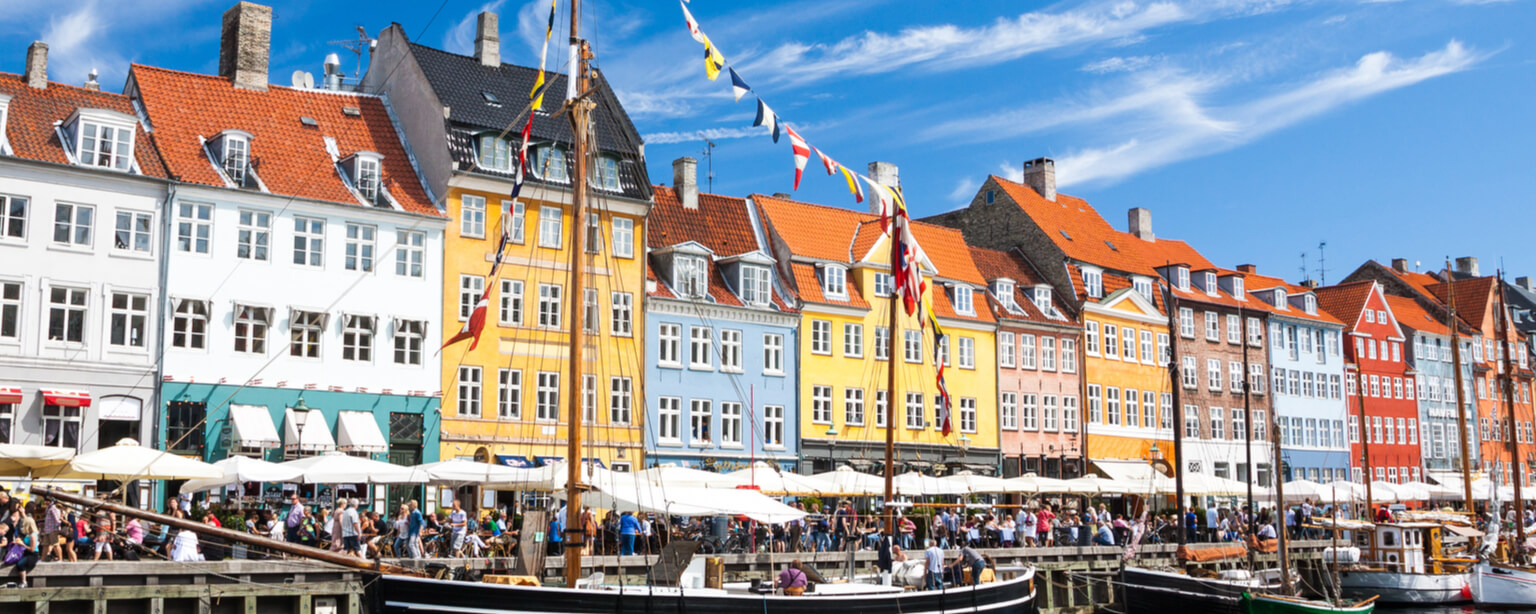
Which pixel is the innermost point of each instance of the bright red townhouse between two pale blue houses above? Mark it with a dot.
(1383, 415)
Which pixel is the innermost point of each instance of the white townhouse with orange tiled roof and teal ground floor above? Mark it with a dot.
(302, 266)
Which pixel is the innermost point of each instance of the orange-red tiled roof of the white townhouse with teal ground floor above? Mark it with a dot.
(290, 156)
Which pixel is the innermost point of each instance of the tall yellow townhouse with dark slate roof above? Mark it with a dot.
(508, 400)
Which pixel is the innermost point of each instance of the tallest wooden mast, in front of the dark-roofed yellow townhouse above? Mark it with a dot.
(578, 107)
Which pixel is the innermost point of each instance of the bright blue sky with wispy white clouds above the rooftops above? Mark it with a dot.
(1251, 128)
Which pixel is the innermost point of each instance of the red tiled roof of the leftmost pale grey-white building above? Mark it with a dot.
(33, 113)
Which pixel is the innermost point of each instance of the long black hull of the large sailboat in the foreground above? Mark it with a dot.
(403, 595)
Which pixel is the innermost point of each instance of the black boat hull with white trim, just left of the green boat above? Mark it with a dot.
(1151, 592)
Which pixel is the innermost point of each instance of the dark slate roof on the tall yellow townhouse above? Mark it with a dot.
(463, 84)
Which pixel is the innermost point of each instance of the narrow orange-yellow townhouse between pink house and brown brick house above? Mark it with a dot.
(1102, 276)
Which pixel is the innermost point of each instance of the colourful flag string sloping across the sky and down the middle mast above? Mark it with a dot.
(895, 220)
